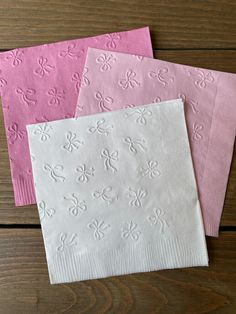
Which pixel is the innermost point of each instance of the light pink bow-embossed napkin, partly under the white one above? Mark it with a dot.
(210, 97)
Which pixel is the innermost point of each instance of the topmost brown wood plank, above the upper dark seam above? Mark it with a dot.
(174, 24)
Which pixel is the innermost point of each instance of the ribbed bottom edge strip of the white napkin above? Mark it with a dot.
(166, 254)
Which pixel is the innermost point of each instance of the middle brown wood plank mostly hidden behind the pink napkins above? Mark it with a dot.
(217, 60)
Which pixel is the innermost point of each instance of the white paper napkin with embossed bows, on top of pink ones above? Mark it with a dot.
(116, 196)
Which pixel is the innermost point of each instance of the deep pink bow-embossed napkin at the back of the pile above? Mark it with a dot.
(42, 84)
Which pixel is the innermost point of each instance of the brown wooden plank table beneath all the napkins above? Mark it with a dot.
(200, 33)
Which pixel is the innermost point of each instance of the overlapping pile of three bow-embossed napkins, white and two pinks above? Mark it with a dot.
(127, 157)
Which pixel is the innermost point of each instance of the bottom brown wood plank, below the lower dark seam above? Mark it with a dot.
(25, 288)
